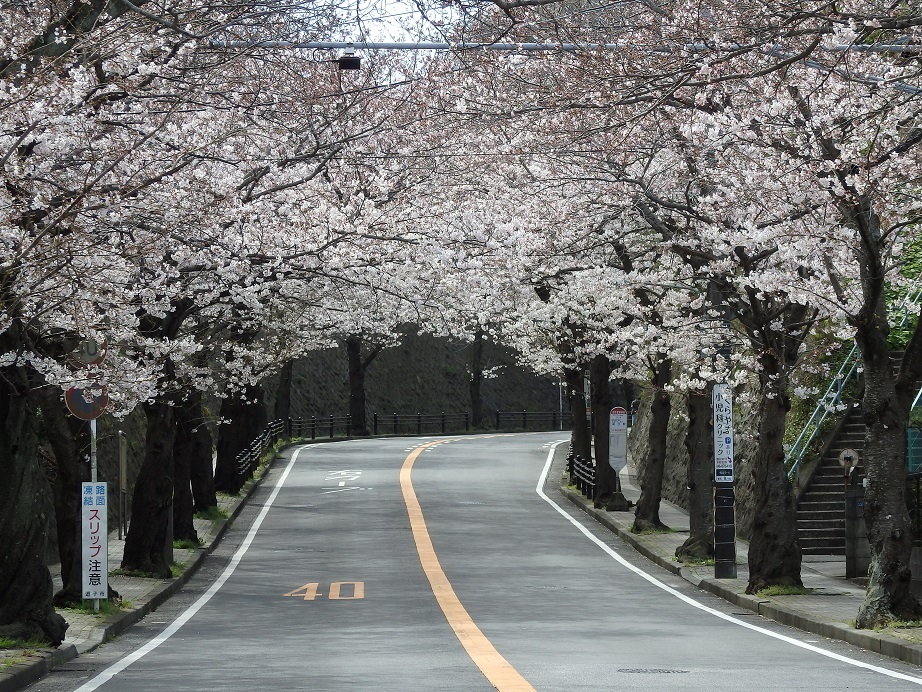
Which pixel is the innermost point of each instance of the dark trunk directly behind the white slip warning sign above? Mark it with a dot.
(69, 440)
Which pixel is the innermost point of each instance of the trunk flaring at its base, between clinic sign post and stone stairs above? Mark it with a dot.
(774, 553)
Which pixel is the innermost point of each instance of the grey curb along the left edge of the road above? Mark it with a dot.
(19, 675)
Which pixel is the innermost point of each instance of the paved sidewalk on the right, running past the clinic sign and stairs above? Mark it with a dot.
(829, 611)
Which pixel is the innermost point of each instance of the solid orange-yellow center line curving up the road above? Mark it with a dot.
(496, 668)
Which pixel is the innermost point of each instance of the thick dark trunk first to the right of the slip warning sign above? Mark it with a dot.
(145, 545)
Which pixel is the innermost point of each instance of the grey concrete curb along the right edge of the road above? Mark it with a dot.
(883, 644)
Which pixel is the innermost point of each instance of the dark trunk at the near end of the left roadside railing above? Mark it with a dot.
(243, 419)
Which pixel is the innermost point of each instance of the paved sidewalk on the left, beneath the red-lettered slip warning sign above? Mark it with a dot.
(140, 596)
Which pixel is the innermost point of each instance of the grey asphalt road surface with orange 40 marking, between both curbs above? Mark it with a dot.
(449, 564)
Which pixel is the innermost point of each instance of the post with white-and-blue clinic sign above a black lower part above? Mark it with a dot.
(724, 499)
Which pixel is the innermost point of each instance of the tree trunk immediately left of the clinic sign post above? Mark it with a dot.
(700, 445)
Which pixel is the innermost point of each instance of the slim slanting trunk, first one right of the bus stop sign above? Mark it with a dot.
(646, 516)
